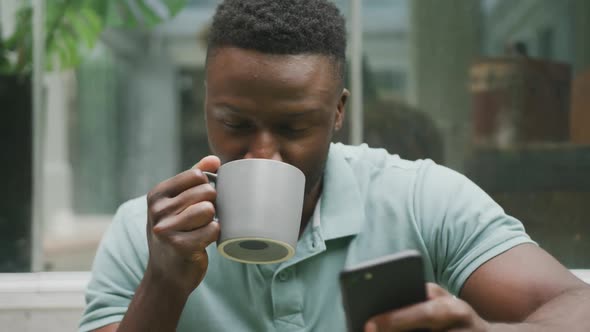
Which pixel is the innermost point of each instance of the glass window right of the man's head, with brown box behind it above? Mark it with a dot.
(492, 89)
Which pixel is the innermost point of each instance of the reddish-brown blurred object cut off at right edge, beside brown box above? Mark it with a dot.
(580, 114)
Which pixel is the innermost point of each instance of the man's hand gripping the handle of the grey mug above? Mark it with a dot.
(180, 227)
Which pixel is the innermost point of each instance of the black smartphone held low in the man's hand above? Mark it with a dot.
(384, 284)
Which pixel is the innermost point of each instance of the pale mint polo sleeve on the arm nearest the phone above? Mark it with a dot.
(462, 226)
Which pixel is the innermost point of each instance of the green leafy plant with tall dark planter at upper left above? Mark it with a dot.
(71, 28)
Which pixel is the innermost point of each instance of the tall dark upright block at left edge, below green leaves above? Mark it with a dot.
(16, 169)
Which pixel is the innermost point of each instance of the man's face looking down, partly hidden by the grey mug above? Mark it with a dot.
(281, 107)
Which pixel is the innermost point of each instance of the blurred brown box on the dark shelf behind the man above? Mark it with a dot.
(519, 100)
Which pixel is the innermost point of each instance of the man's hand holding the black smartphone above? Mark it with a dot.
(441, 312)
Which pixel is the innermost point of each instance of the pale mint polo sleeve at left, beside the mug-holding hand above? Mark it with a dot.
(118, 267)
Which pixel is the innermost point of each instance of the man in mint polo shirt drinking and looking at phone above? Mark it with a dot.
(274, 89)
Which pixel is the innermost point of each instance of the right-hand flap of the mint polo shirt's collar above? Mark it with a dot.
(341, 209)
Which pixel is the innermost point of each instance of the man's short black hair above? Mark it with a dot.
(280, 27)
